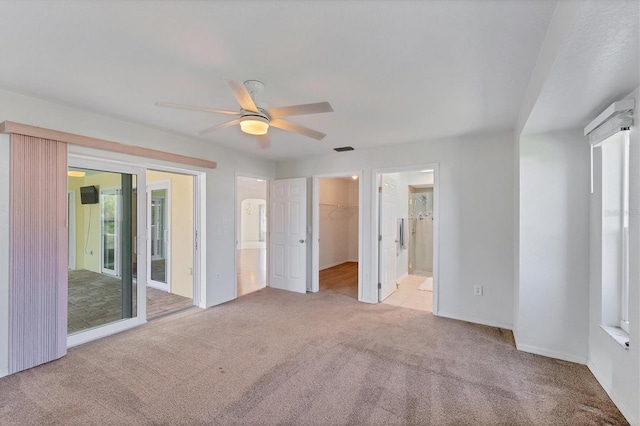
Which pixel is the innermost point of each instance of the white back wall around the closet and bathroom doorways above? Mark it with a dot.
(476, 224)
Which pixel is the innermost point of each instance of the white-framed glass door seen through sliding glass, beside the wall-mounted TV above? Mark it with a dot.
(110, 218)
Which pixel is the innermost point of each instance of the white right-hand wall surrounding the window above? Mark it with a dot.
(617, 369)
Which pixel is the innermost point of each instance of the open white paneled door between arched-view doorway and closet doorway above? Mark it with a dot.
(288, 239)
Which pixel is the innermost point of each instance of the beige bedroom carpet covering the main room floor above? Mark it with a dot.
(274, 357)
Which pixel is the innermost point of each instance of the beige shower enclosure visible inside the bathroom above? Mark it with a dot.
(420, 231)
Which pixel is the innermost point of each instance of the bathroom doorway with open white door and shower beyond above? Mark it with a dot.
(407, 237)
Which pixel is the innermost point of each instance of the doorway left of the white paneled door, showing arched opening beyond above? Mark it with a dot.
(251, 234)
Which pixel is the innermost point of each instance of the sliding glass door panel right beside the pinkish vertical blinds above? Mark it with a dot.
(103, 289)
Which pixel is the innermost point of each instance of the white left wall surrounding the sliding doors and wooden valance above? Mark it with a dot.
(220, 182)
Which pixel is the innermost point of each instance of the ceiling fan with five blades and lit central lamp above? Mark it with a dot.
(255, 117)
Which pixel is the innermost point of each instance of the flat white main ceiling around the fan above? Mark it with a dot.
(394, 71)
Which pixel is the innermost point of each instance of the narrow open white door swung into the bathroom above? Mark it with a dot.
(388, 237)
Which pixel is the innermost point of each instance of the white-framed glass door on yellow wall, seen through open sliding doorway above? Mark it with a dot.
(159, 223)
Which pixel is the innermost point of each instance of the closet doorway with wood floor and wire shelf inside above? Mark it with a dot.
(336, 250)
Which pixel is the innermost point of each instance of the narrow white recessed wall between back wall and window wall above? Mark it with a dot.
(554, 245)
